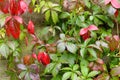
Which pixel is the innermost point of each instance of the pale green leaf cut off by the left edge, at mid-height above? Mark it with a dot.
(4, 50)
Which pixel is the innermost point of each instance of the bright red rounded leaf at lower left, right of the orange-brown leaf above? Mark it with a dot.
(43, 58)
